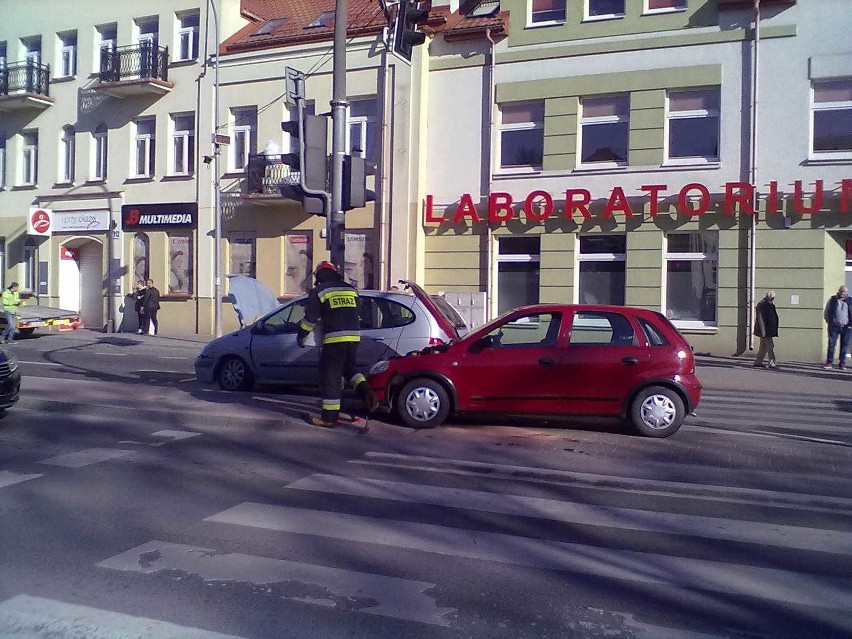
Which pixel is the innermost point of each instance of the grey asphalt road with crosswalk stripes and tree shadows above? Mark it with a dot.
(136, 504)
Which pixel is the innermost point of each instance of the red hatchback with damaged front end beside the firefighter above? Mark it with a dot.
(551, 359)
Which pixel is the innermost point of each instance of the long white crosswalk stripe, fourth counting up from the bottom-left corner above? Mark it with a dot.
(586, 514)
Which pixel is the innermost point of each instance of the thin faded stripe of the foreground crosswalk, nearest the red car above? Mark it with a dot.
(617, 483)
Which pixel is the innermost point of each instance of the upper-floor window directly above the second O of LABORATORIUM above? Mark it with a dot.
(693, 125)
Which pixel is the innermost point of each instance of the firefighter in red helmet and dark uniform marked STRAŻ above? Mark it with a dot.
(334, 302)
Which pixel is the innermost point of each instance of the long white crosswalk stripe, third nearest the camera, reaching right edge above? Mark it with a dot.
(624, 565)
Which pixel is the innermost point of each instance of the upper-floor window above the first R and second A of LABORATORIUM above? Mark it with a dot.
(604, 130)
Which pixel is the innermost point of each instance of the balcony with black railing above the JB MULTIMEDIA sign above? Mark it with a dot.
(140, 69)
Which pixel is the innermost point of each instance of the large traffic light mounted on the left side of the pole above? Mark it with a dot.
(310, 162)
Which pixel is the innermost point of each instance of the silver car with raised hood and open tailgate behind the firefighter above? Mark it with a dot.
(265, 351)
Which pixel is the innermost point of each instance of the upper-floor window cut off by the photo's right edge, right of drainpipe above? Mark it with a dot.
(832, 118)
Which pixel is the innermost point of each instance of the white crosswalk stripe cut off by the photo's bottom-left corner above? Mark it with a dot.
(26, 617)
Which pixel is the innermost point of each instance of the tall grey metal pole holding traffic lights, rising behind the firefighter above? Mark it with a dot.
(336, 220)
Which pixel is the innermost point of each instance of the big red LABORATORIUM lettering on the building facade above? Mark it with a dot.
(693, 199)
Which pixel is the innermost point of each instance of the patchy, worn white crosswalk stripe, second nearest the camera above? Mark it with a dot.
(343, 589)
